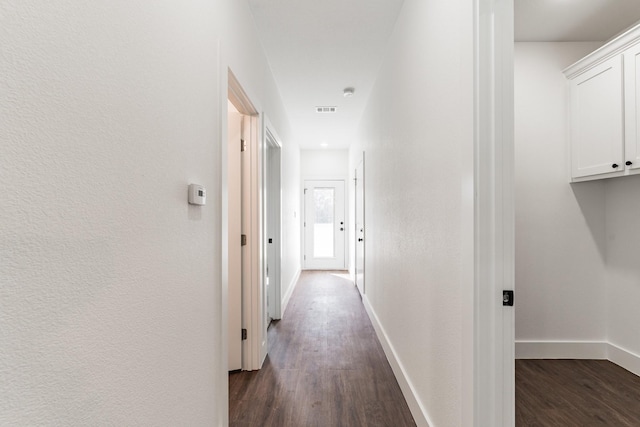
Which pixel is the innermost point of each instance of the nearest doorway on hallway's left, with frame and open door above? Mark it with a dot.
(247, 338)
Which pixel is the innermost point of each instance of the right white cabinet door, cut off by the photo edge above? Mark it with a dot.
(632, 110)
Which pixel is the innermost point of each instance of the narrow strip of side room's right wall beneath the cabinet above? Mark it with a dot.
(623, 262)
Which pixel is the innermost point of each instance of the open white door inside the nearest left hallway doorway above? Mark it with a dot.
(234, 230)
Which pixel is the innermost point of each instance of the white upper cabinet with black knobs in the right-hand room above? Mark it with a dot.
(604, 116)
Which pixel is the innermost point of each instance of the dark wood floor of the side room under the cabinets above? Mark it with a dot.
(576, 393)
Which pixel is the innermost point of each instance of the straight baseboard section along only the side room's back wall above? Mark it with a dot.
(561, 350)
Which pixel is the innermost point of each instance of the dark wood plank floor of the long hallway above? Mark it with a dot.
(325, 366)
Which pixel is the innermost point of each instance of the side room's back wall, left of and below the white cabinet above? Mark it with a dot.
(560, 227)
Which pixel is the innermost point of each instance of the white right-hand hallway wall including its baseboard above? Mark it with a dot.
(417, 132)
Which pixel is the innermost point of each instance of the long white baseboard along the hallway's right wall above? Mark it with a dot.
(419, 413)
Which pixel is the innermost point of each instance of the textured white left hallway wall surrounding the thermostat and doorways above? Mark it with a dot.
(111, 297)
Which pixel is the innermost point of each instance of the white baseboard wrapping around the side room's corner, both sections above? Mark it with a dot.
(599, 350)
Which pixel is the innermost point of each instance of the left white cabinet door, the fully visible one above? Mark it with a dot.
(597, 138)
